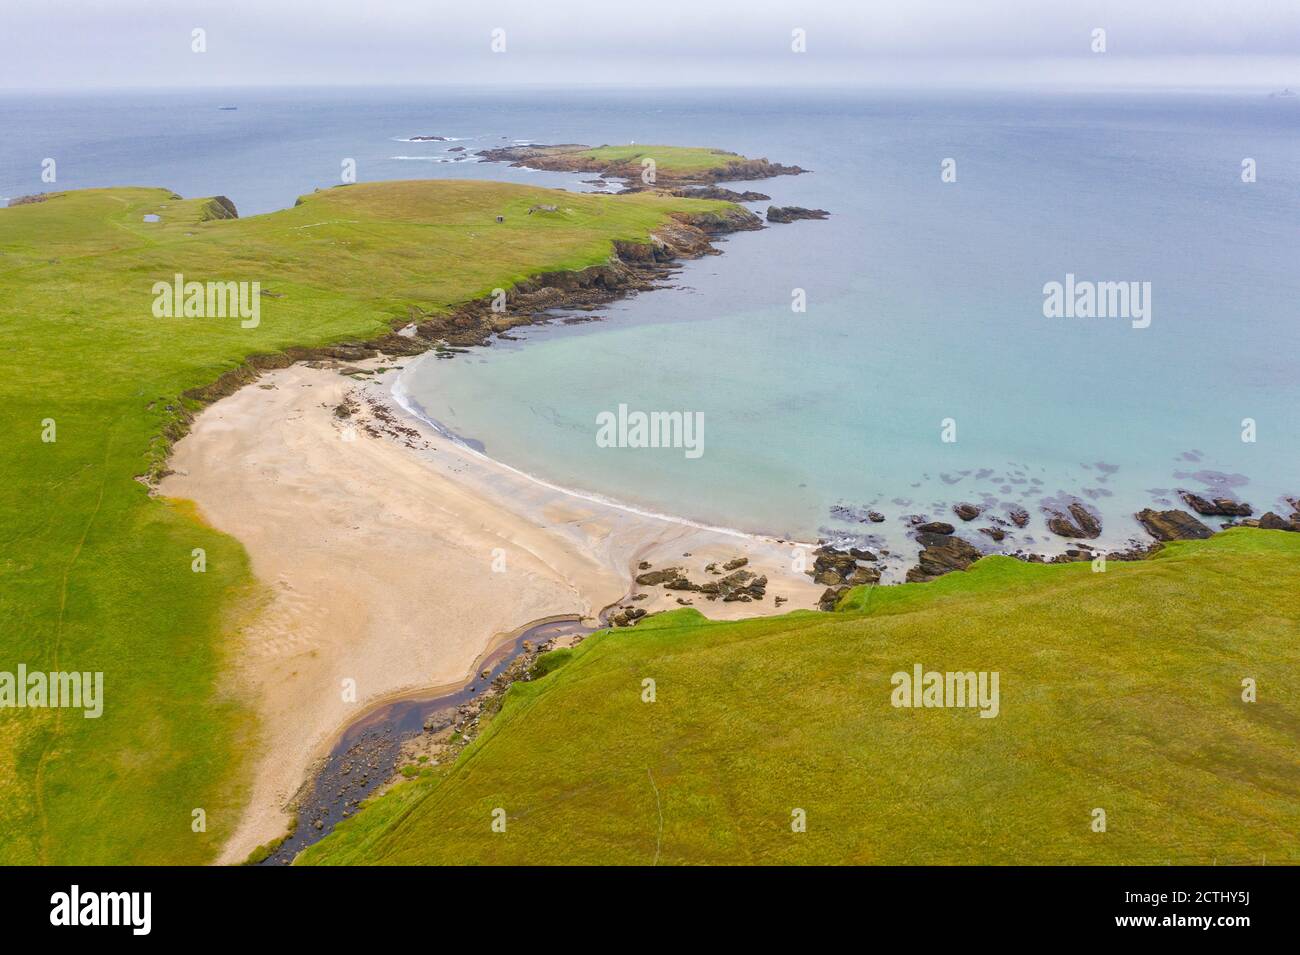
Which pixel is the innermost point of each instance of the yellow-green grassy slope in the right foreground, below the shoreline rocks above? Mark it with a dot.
(1119, 691)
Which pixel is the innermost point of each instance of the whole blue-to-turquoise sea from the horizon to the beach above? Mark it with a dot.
(900, 357)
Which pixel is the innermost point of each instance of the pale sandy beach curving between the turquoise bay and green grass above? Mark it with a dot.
(395, 559)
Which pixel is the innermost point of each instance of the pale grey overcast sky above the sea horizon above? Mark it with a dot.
(93, 45)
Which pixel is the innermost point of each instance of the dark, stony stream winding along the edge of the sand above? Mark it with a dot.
(366, 756)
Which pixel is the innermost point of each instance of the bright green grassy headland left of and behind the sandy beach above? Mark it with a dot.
(94, 575)
